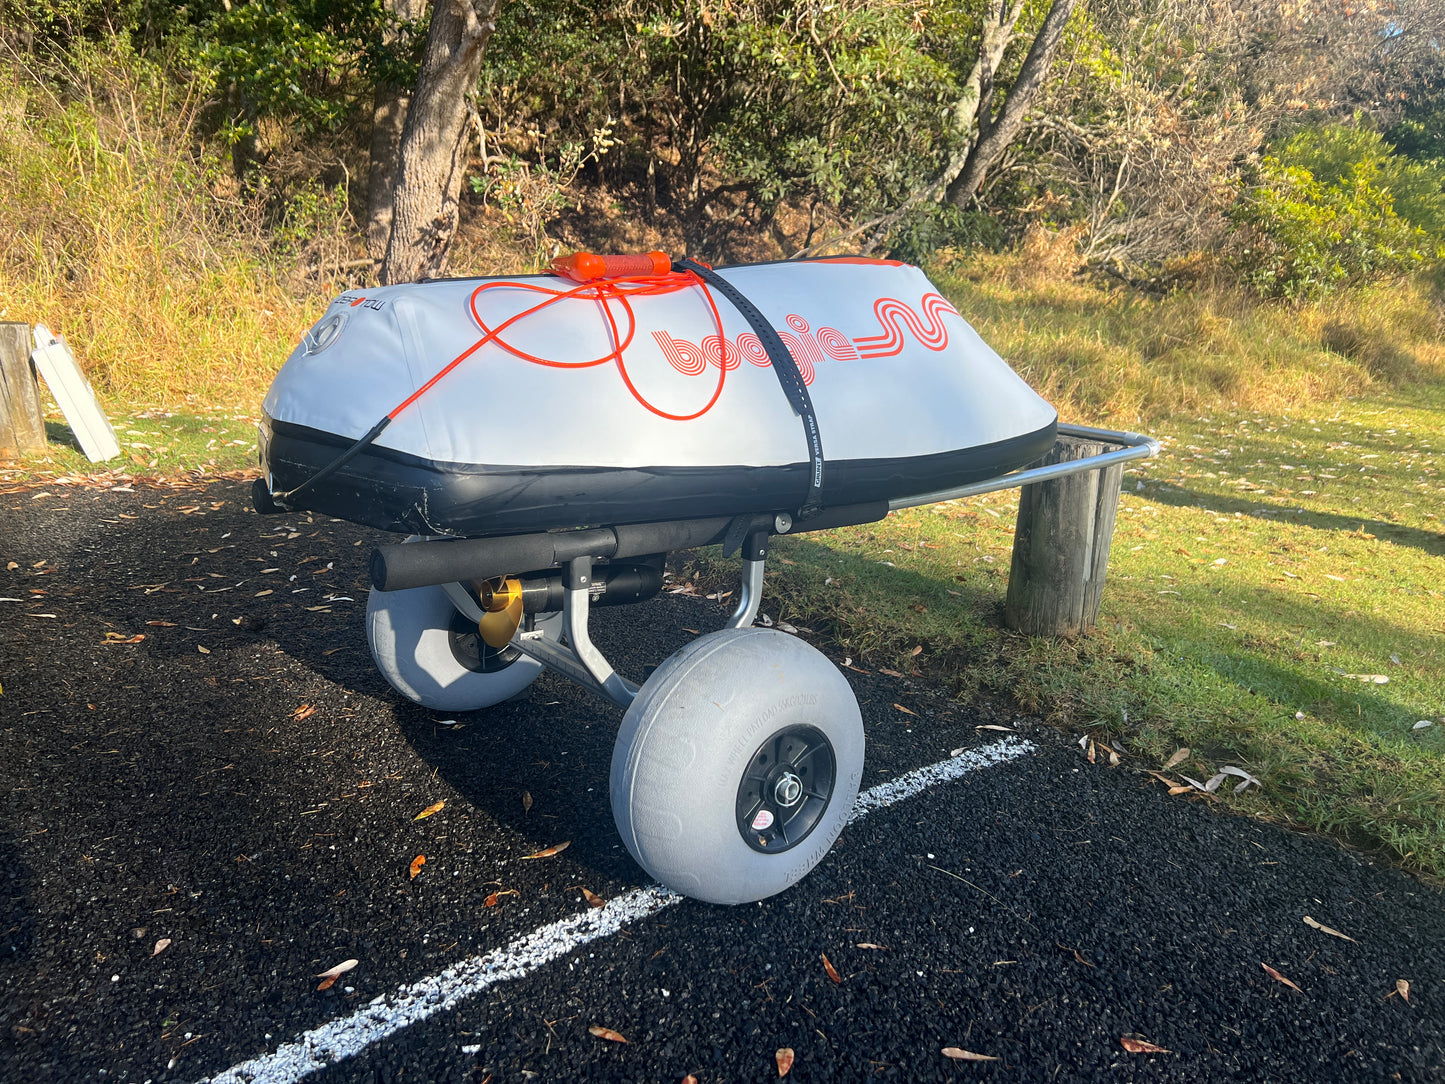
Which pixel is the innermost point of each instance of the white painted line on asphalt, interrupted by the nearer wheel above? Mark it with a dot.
(413, 1004)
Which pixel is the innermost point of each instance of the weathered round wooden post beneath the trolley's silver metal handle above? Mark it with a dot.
(1061, 546)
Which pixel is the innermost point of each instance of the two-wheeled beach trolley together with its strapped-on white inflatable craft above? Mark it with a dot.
(545, 442)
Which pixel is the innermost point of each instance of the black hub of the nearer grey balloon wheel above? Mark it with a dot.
(785, 790)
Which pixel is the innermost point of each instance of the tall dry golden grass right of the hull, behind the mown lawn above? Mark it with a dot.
(1118, 356)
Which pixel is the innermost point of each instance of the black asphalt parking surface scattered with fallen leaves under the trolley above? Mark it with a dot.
(212, 799)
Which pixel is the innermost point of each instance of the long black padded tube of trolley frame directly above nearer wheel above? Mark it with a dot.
(423, 564)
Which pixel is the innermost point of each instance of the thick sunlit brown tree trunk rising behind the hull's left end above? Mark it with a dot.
(434, 142)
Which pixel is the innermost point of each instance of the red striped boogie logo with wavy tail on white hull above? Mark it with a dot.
(811, 348)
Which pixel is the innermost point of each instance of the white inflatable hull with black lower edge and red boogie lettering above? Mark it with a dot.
(690, 423)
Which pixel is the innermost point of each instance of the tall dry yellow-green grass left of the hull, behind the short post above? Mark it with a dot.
(119, 235)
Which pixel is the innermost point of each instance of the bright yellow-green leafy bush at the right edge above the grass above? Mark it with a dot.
(1337, 206)
